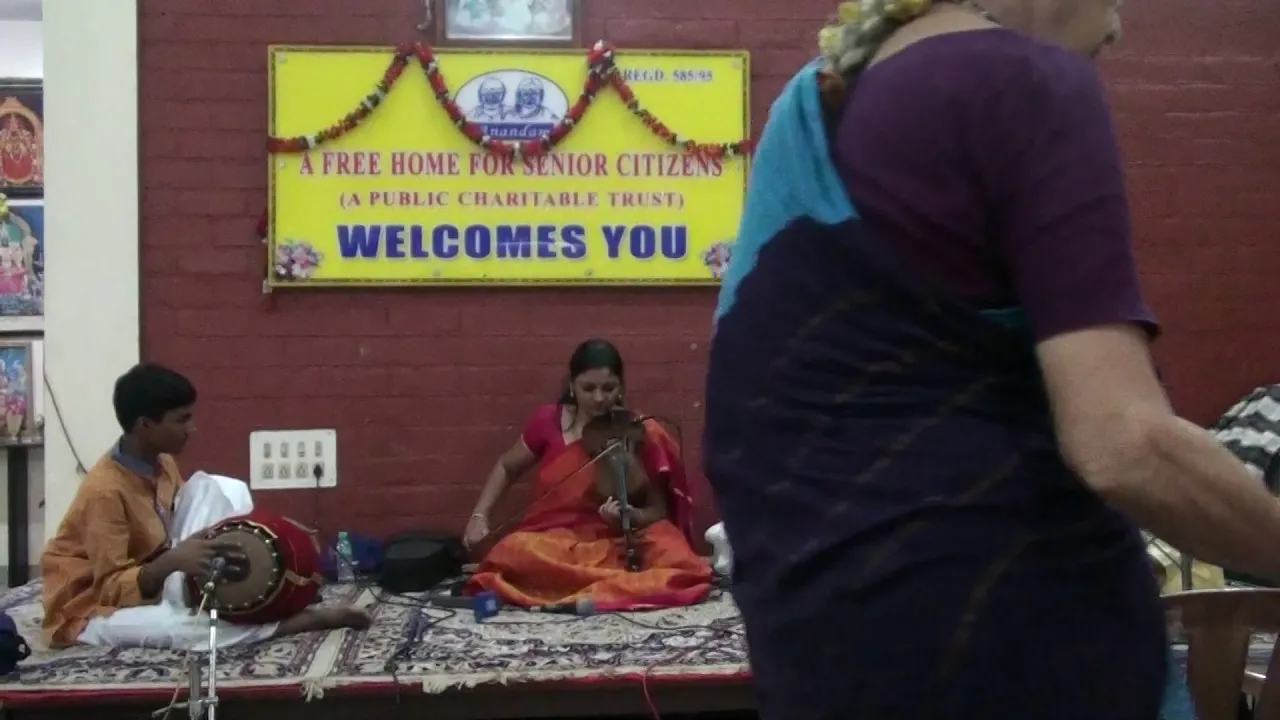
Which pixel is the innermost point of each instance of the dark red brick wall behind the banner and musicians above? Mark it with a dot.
(427, 388)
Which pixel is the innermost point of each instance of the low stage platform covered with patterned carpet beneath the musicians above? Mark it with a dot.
(417, 660)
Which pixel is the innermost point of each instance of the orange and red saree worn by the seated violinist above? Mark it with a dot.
(563, 552)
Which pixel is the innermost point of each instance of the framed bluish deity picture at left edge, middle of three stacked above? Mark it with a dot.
(22, 266)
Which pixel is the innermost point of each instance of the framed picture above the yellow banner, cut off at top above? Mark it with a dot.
(509, 22)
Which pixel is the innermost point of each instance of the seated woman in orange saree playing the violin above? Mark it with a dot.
(569, 546)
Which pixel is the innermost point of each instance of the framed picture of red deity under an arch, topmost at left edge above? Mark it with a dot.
(22, 139)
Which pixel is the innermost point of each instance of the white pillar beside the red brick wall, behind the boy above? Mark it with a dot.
(92, 226)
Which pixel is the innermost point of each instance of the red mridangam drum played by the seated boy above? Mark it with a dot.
(284, 575)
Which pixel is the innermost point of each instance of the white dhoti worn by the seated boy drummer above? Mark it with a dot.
(203, 503)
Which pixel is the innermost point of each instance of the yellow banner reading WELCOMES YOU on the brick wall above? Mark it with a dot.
(406, 199)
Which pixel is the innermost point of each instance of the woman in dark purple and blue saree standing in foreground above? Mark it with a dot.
(934, 423)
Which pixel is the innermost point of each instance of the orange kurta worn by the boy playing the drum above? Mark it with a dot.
(92, 567)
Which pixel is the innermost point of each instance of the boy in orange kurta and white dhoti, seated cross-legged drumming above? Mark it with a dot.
(115, 573)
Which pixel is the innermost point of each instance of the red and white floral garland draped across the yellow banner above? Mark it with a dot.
(602, 72)
